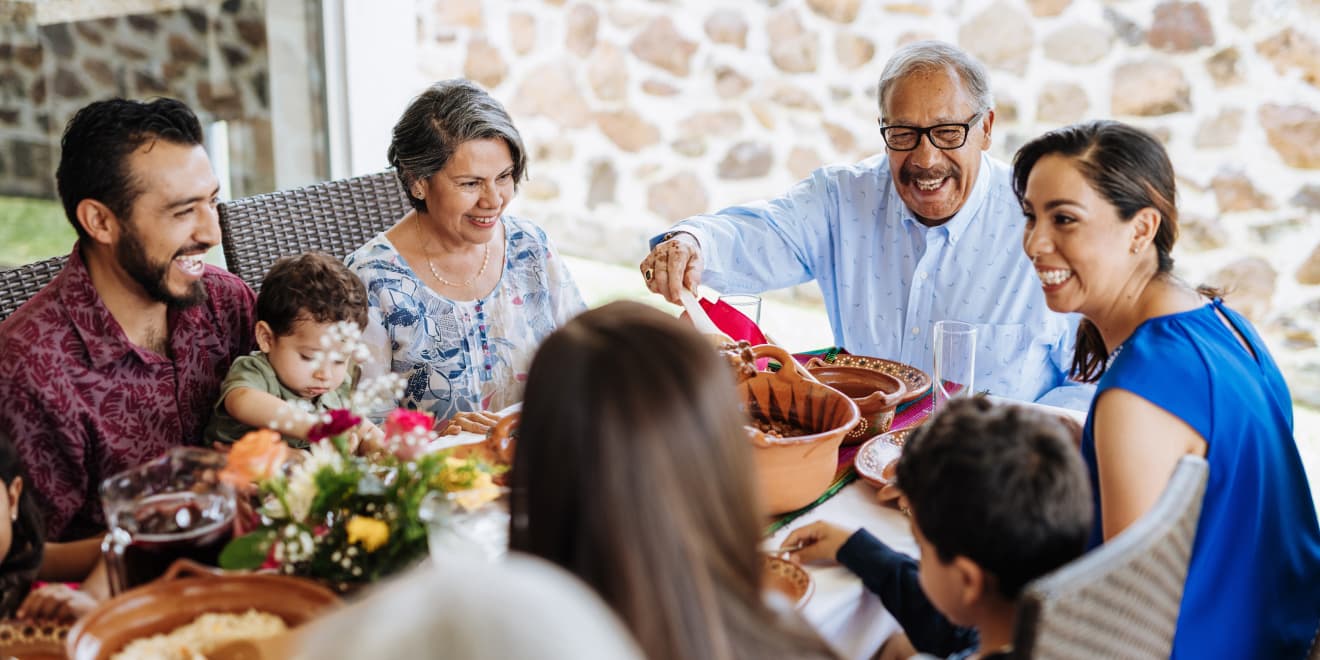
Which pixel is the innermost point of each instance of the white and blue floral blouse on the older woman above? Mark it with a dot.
(464, 356)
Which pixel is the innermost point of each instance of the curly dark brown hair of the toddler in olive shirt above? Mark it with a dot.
(311, 287)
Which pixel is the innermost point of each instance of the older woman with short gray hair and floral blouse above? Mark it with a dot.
(460, 292)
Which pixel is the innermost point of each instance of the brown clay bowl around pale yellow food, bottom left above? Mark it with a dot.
(184, 593)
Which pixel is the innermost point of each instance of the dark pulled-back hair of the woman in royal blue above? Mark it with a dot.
(1131, 170)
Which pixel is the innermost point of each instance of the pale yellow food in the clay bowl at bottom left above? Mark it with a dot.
(207, 634)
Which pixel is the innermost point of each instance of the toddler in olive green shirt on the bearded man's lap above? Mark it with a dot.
(303, 365)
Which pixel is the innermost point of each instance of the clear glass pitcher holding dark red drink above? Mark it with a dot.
(172, 508)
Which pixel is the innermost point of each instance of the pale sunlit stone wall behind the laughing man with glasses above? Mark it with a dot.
(641, 113)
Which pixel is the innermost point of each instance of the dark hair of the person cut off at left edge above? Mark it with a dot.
(28, 537)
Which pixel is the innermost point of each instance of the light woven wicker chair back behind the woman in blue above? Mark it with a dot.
(1123, 599)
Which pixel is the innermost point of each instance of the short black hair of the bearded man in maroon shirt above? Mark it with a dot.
(97, 145)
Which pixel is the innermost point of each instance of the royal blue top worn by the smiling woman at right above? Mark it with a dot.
(1253, 587)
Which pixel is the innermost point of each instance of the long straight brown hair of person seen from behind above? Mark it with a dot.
(634, 472)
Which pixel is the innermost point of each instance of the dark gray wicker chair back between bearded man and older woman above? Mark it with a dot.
(336, 217)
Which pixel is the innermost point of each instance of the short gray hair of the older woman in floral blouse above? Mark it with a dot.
(438, 122)
